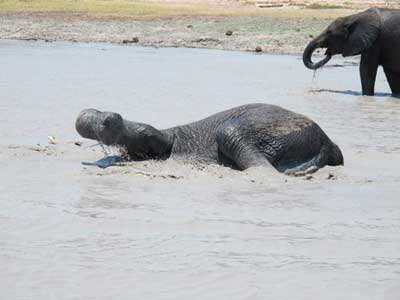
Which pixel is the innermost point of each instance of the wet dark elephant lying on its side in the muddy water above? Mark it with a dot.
(242, 137)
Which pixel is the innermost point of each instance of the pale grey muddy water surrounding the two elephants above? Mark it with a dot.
(174, 230)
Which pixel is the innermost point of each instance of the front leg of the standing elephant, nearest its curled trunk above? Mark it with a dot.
(368, 69)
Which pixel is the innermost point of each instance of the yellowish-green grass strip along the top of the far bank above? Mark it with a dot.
(134, 8)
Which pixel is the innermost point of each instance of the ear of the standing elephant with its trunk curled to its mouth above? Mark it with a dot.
(363, 30)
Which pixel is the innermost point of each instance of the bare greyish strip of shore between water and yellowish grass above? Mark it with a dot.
(275, 31)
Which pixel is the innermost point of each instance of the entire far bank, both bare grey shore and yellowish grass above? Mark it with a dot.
(216, 25)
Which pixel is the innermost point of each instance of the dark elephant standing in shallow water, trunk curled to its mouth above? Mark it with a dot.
(375, 34)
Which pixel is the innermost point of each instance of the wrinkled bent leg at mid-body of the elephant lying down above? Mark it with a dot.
(235, 146)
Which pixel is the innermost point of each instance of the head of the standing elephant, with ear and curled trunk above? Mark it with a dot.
(348, 36)
